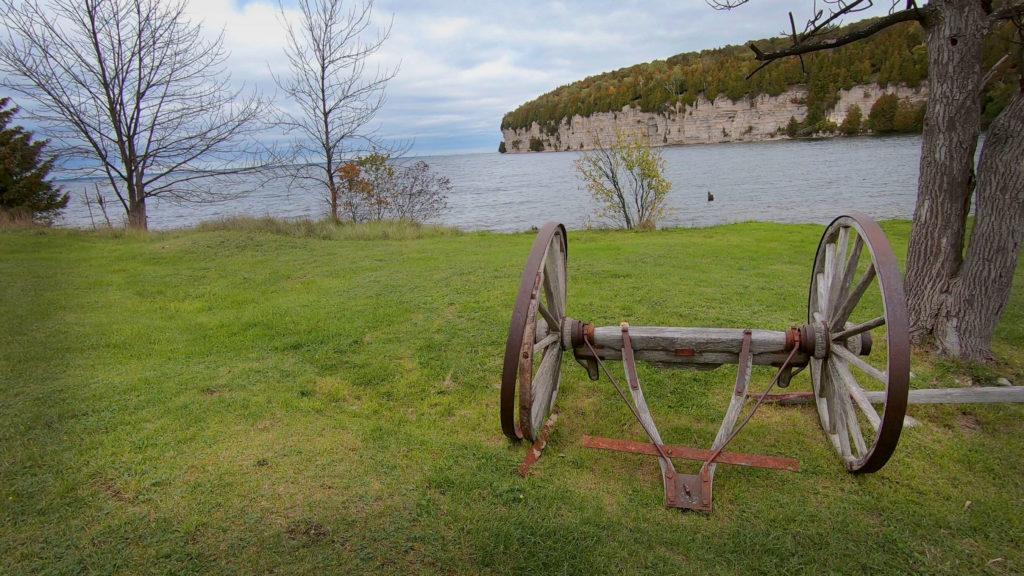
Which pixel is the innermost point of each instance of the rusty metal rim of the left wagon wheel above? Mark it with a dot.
(524, 314)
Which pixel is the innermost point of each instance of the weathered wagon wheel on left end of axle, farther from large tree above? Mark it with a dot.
(534, 350)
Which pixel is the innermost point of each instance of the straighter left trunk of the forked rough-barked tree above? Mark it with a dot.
(956, 30)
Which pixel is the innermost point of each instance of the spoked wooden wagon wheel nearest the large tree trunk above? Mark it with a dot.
(844, 312)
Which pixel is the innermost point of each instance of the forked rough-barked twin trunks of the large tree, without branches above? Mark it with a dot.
(956, 303)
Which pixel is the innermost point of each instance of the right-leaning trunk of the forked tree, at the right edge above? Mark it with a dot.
(977, 298)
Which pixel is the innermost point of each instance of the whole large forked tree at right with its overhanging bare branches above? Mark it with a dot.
(957, 290)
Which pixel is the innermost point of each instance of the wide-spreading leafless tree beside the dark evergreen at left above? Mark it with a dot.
(136, 91)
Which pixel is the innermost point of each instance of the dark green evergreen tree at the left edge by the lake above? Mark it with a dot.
(25, 189)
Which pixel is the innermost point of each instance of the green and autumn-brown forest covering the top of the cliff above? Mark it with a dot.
(897, 56)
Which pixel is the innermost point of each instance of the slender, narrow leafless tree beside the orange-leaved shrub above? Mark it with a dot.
(332, 96)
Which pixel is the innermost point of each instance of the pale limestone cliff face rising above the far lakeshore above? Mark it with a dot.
(760, 118)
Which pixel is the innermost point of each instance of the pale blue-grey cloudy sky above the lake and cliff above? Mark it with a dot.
(465, 63)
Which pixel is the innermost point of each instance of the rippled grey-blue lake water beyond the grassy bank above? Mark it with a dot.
(784, 182)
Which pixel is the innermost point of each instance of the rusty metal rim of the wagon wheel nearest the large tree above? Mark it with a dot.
(899, 342)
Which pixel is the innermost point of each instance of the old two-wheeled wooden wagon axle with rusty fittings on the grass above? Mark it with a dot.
(855, 342)
